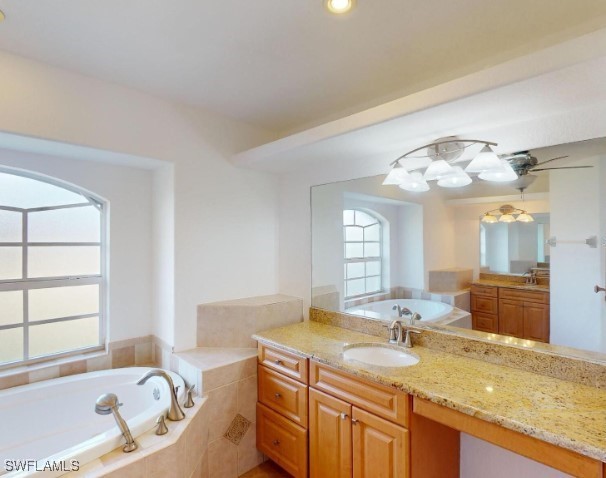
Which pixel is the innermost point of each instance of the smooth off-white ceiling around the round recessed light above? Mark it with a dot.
(284, 65)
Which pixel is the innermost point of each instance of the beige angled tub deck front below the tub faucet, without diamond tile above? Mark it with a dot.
(181, 453)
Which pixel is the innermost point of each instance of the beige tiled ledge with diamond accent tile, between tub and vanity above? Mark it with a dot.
(228, 377)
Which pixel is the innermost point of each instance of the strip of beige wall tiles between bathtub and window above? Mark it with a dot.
(139, 351)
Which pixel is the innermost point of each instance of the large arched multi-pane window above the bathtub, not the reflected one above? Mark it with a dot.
(52, 257)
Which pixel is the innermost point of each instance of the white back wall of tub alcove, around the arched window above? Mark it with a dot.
(129, 192)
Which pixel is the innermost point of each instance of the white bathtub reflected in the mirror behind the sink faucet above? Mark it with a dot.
(431, 311)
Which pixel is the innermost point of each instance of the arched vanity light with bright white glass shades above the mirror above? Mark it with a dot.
(441, 163)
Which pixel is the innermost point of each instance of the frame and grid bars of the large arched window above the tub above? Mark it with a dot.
(26, 284)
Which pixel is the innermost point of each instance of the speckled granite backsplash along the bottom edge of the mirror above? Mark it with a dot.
(573, 365)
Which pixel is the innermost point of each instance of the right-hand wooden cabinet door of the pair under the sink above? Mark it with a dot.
(381, 449)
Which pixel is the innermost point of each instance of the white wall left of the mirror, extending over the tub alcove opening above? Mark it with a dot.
(225, 219)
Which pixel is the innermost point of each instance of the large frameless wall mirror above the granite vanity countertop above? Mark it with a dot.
(375, 245)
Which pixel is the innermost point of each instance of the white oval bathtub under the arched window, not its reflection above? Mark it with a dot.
(54, 422)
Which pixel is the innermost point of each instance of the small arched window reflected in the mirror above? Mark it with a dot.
(362, 233)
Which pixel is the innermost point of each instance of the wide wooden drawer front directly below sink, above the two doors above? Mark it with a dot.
(383, 401)
